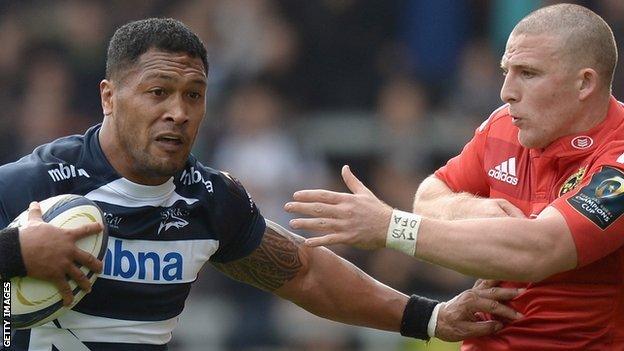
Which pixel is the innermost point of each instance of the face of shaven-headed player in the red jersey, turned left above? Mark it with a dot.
(541, 88)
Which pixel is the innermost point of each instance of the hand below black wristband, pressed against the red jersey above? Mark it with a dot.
(459, 318)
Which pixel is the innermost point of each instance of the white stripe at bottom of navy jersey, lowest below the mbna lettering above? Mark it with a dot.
(99, 329)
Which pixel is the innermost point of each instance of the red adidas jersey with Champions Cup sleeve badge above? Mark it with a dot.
(582, 176)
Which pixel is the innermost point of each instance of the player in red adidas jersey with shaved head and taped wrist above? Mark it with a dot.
(534, 200)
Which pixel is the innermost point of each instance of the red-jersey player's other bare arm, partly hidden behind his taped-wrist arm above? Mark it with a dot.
(434, 199)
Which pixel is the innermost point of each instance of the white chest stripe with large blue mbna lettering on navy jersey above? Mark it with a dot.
(157, 262)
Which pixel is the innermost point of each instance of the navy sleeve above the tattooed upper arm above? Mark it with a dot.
(238, 221)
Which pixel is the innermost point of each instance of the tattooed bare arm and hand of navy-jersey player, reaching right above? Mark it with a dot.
(329, 286)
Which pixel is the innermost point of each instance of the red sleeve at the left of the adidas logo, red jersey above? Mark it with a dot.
(464, 172)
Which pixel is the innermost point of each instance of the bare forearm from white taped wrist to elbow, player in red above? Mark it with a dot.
(498, 248)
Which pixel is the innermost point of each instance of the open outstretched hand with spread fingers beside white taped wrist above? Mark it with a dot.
(359, 219)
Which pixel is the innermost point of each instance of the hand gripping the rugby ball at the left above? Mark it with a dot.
(50, 253)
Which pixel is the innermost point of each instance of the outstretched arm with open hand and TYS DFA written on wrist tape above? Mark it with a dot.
(514, 249)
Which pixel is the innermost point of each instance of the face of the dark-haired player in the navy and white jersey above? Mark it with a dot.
(157, 107)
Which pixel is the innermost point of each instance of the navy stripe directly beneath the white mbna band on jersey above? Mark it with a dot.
(136, 301)
